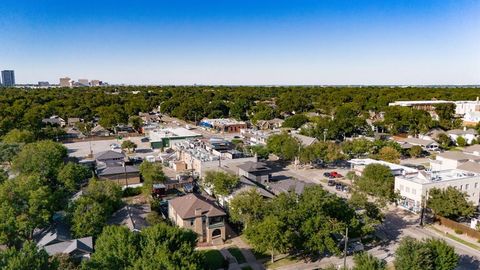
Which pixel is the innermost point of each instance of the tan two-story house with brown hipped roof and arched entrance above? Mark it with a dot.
(200, 215)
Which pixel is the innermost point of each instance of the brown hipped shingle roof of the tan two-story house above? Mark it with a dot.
(185, 206)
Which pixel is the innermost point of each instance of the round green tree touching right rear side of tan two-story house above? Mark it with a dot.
(247, 207)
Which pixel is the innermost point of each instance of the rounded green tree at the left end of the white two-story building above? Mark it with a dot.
(377, 180)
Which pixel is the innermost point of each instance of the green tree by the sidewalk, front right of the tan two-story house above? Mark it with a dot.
(268, 236)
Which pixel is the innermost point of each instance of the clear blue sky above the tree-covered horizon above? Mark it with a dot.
(243, 42)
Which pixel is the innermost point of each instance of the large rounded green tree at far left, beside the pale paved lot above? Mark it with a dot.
(44, 158)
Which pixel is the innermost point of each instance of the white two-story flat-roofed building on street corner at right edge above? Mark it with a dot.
(413, 188)
